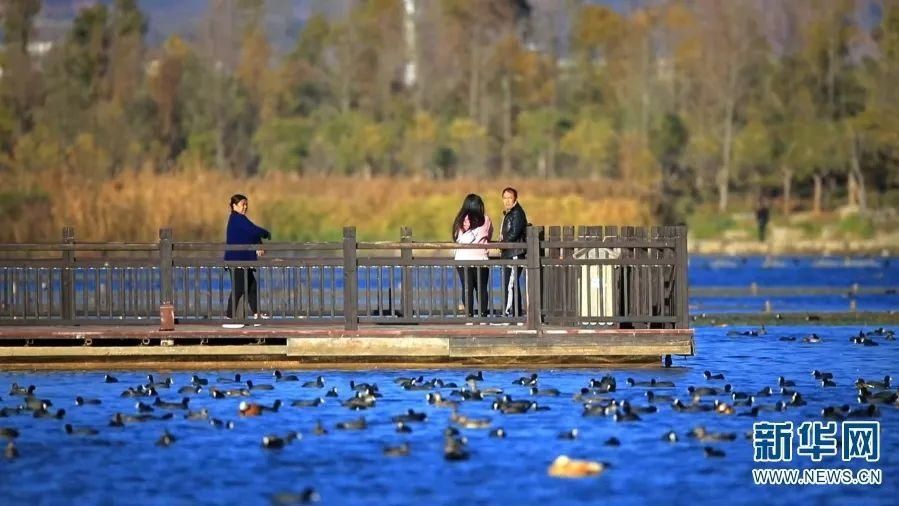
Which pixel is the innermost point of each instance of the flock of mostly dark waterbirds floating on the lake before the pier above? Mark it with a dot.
(162, 399)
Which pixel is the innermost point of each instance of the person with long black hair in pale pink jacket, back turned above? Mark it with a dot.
(473, 226)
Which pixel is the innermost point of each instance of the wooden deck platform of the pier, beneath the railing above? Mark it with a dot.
(206, 346)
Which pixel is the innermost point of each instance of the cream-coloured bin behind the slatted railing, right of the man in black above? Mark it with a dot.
(596, 286)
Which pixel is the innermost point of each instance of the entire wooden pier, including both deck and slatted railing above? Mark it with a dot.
(587, 296)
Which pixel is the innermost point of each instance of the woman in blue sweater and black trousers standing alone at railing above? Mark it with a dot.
(243, 231)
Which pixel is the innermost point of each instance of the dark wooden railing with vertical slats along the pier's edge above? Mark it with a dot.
(627, 277)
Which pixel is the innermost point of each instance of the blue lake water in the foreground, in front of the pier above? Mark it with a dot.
(219, 466)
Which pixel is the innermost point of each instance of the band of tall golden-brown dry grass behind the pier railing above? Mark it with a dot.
(134, 205)
